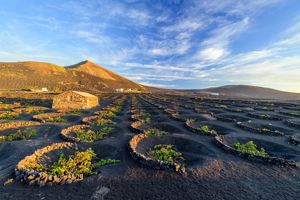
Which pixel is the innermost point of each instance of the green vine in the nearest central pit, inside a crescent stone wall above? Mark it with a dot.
(166, 153)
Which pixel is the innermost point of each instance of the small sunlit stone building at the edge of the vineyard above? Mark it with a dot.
(74, 100)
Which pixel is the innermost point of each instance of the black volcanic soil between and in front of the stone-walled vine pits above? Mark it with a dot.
(215, 175)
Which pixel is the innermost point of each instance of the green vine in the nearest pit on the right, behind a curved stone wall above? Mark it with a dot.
(250, 148)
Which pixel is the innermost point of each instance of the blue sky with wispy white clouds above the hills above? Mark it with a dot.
(185, 44)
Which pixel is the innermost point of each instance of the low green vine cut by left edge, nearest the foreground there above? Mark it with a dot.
(25, 134)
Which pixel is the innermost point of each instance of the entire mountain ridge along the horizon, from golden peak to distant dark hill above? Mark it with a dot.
(94, 78)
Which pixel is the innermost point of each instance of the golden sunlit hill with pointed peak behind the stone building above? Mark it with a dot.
(86, 76)
